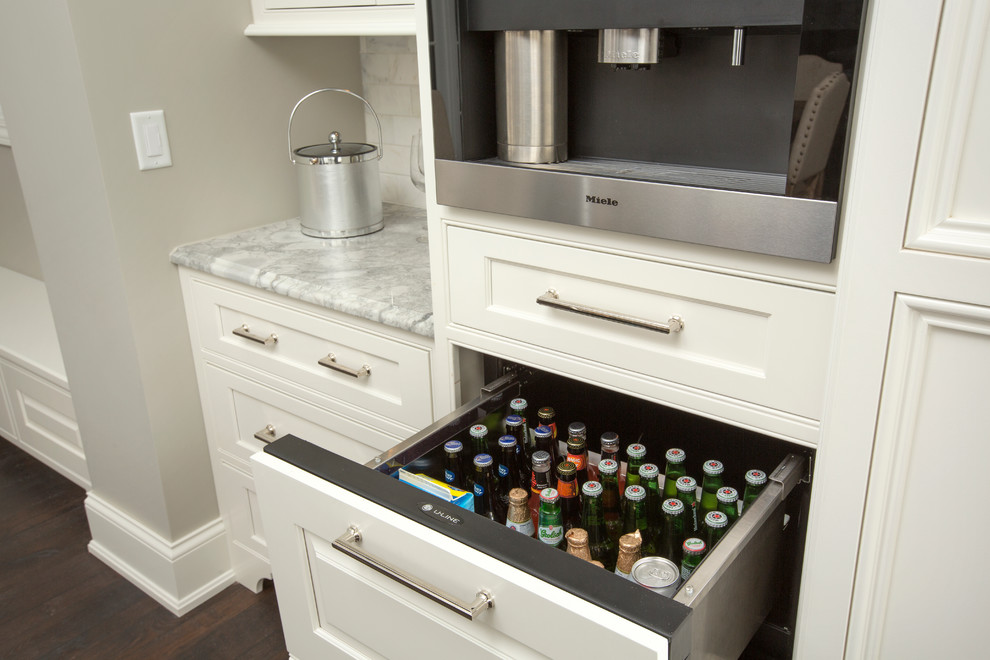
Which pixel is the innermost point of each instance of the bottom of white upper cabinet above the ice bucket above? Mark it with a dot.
(331, 17)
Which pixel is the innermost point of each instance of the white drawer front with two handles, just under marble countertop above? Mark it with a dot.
(398, 382)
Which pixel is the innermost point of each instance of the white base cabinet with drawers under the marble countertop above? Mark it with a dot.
(264, 370)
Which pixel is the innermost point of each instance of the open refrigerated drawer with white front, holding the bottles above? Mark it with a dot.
(348, 529)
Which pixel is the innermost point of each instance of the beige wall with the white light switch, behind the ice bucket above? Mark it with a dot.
(71, 71)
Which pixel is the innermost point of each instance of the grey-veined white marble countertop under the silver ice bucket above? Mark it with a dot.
(382, 277)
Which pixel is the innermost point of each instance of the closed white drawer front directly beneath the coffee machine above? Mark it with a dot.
(756, 341)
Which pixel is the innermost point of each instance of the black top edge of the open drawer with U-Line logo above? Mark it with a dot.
(654, 612)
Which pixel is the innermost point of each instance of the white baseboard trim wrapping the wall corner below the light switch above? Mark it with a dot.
(178, 574)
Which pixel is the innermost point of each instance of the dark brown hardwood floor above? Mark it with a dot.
(59, 601)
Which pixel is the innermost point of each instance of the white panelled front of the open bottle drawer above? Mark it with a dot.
(352, 609)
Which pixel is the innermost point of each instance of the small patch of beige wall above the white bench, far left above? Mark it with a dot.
(17, 251)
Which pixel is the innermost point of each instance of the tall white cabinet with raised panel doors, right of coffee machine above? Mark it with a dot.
(906, 406)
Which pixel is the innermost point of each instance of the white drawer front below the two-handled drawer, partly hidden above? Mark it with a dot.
(243, 409)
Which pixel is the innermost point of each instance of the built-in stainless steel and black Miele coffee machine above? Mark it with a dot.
(706, 121)
